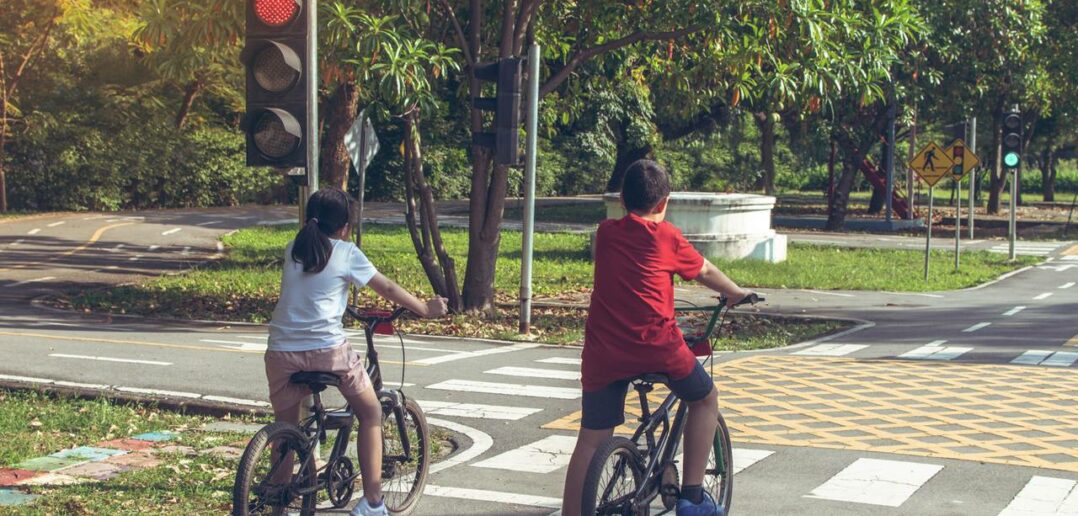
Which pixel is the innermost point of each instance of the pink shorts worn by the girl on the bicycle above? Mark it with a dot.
(341, 360)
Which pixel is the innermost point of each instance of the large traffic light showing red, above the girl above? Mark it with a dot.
(274, 54)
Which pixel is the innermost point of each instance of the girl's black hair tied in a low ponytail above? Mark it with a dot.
(328, 212)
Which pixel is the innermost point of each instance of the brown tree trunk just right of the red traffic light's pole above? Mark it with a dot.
(341, 111)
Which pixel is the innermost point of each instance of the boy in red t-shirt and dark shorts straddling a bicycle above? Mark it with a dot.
(631, 330)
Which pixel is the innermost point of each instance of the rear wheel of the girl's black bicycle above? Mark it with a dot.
(272, 471)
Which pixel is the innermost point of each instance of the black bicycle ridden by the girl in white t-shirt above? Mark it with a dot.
(262, 485)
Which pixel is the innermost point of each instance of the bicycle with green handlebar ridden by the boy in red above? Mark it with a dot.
(626, 476)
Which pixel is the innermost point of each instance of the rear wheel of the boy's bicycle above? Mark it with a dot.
(614, 477)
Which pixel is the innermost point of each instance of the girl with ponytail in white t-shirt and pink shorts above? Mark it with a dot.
(307, 332)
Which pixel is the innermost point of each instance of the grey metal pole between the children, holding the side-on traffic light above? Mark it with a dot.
(530, 189)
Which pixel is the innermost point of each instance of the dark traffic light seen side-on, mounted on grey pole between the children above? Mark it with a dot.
(505, 141)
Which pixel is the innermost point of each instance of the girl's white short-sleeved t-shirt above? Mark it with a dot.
(309, 314)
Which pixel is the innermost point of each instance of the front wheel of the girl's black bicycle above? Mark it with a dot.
(405, 478)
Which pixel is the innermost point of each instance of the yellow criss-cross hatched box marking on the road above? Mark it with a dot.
(1002, 414)
